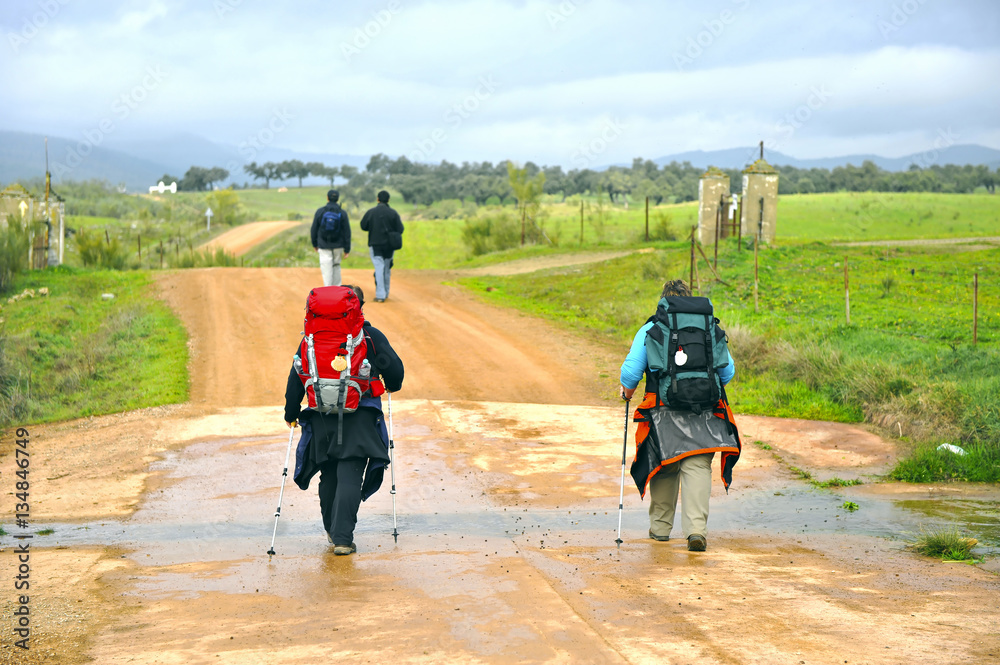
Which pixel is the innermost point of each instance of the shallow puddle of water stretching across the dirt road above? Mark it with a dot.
(218, 505)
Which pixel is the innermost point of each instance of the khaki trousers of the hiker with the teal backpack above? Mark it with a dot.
(693, 477)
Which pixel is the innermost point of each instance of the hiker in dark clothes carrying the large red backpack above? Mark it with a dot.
(342, 366)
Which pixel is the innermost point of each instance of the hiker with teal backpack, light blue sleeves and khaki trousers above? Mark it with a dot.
(684, 417)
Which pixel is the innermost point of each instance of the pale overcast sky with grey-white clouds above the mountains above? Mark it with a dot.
(576, 82)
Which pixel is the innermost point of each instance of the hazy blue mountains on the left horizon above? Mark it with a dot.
(140, 163)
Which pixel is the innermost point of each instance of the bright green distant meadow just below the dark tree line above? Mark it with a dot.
(802, 218)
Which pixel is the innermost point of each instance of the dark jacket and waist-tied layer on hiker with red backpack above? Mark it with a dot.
(364, 431)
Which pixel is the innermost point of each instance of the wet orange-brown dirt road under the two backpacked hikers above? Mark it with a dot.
(507, 470)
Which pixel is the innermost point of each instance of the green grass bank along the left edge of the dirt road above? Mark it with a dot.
(72, 354)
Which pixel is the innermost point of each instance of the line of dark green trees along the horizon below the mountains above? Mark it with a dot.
(483, 182)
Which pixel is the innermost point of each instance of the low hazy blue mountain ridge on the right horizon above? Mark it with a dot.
(737, 158)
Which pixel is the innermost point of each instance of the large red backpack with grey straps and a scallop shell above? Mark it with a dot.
(333, 357)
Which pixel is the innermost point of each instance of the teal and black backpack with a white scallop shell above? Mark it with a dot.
(684, 349)
